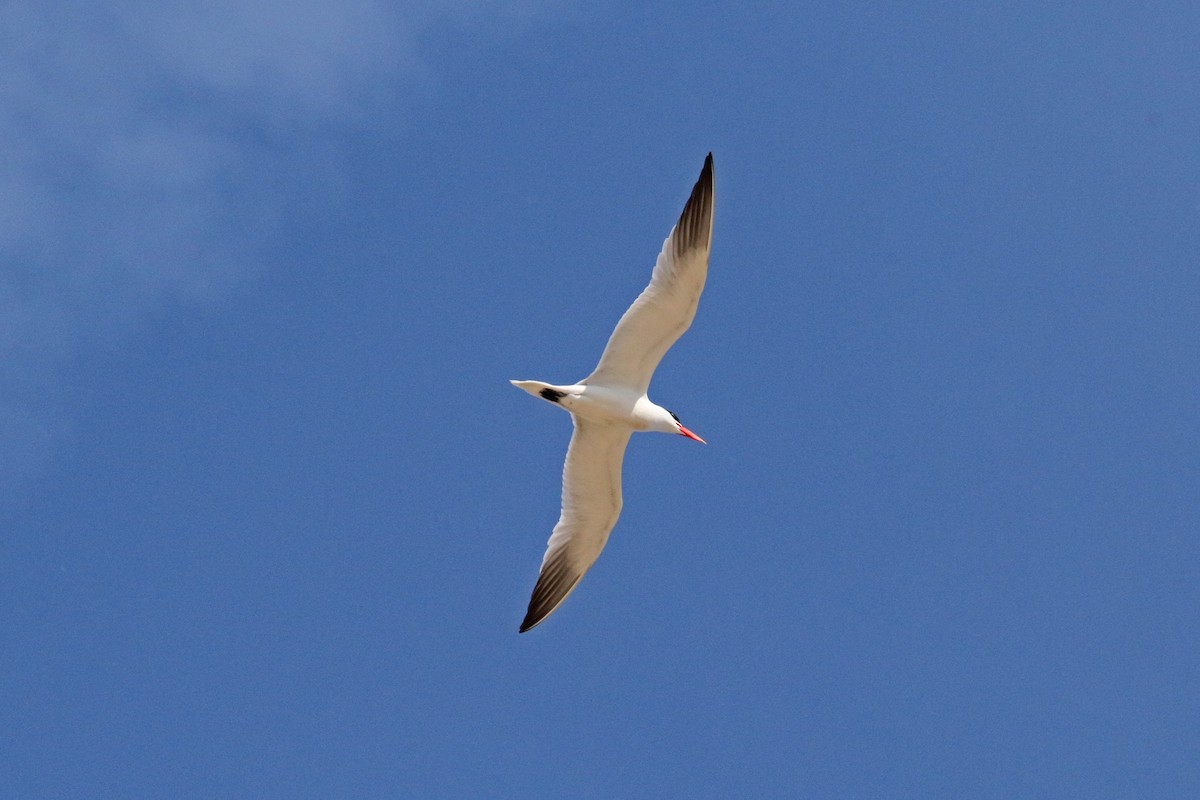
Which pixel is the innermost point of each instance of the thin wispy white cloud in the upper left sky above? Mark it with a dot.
(129, 179)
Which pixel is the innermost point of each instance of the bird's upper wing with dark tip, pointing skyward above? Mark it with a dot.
(667, 308)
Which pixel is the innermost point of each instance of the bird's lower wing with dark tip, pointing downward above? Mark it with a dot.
(591, 507)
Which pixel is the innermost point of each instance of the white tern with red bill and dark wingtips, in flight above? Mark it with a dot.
(611, 404)
